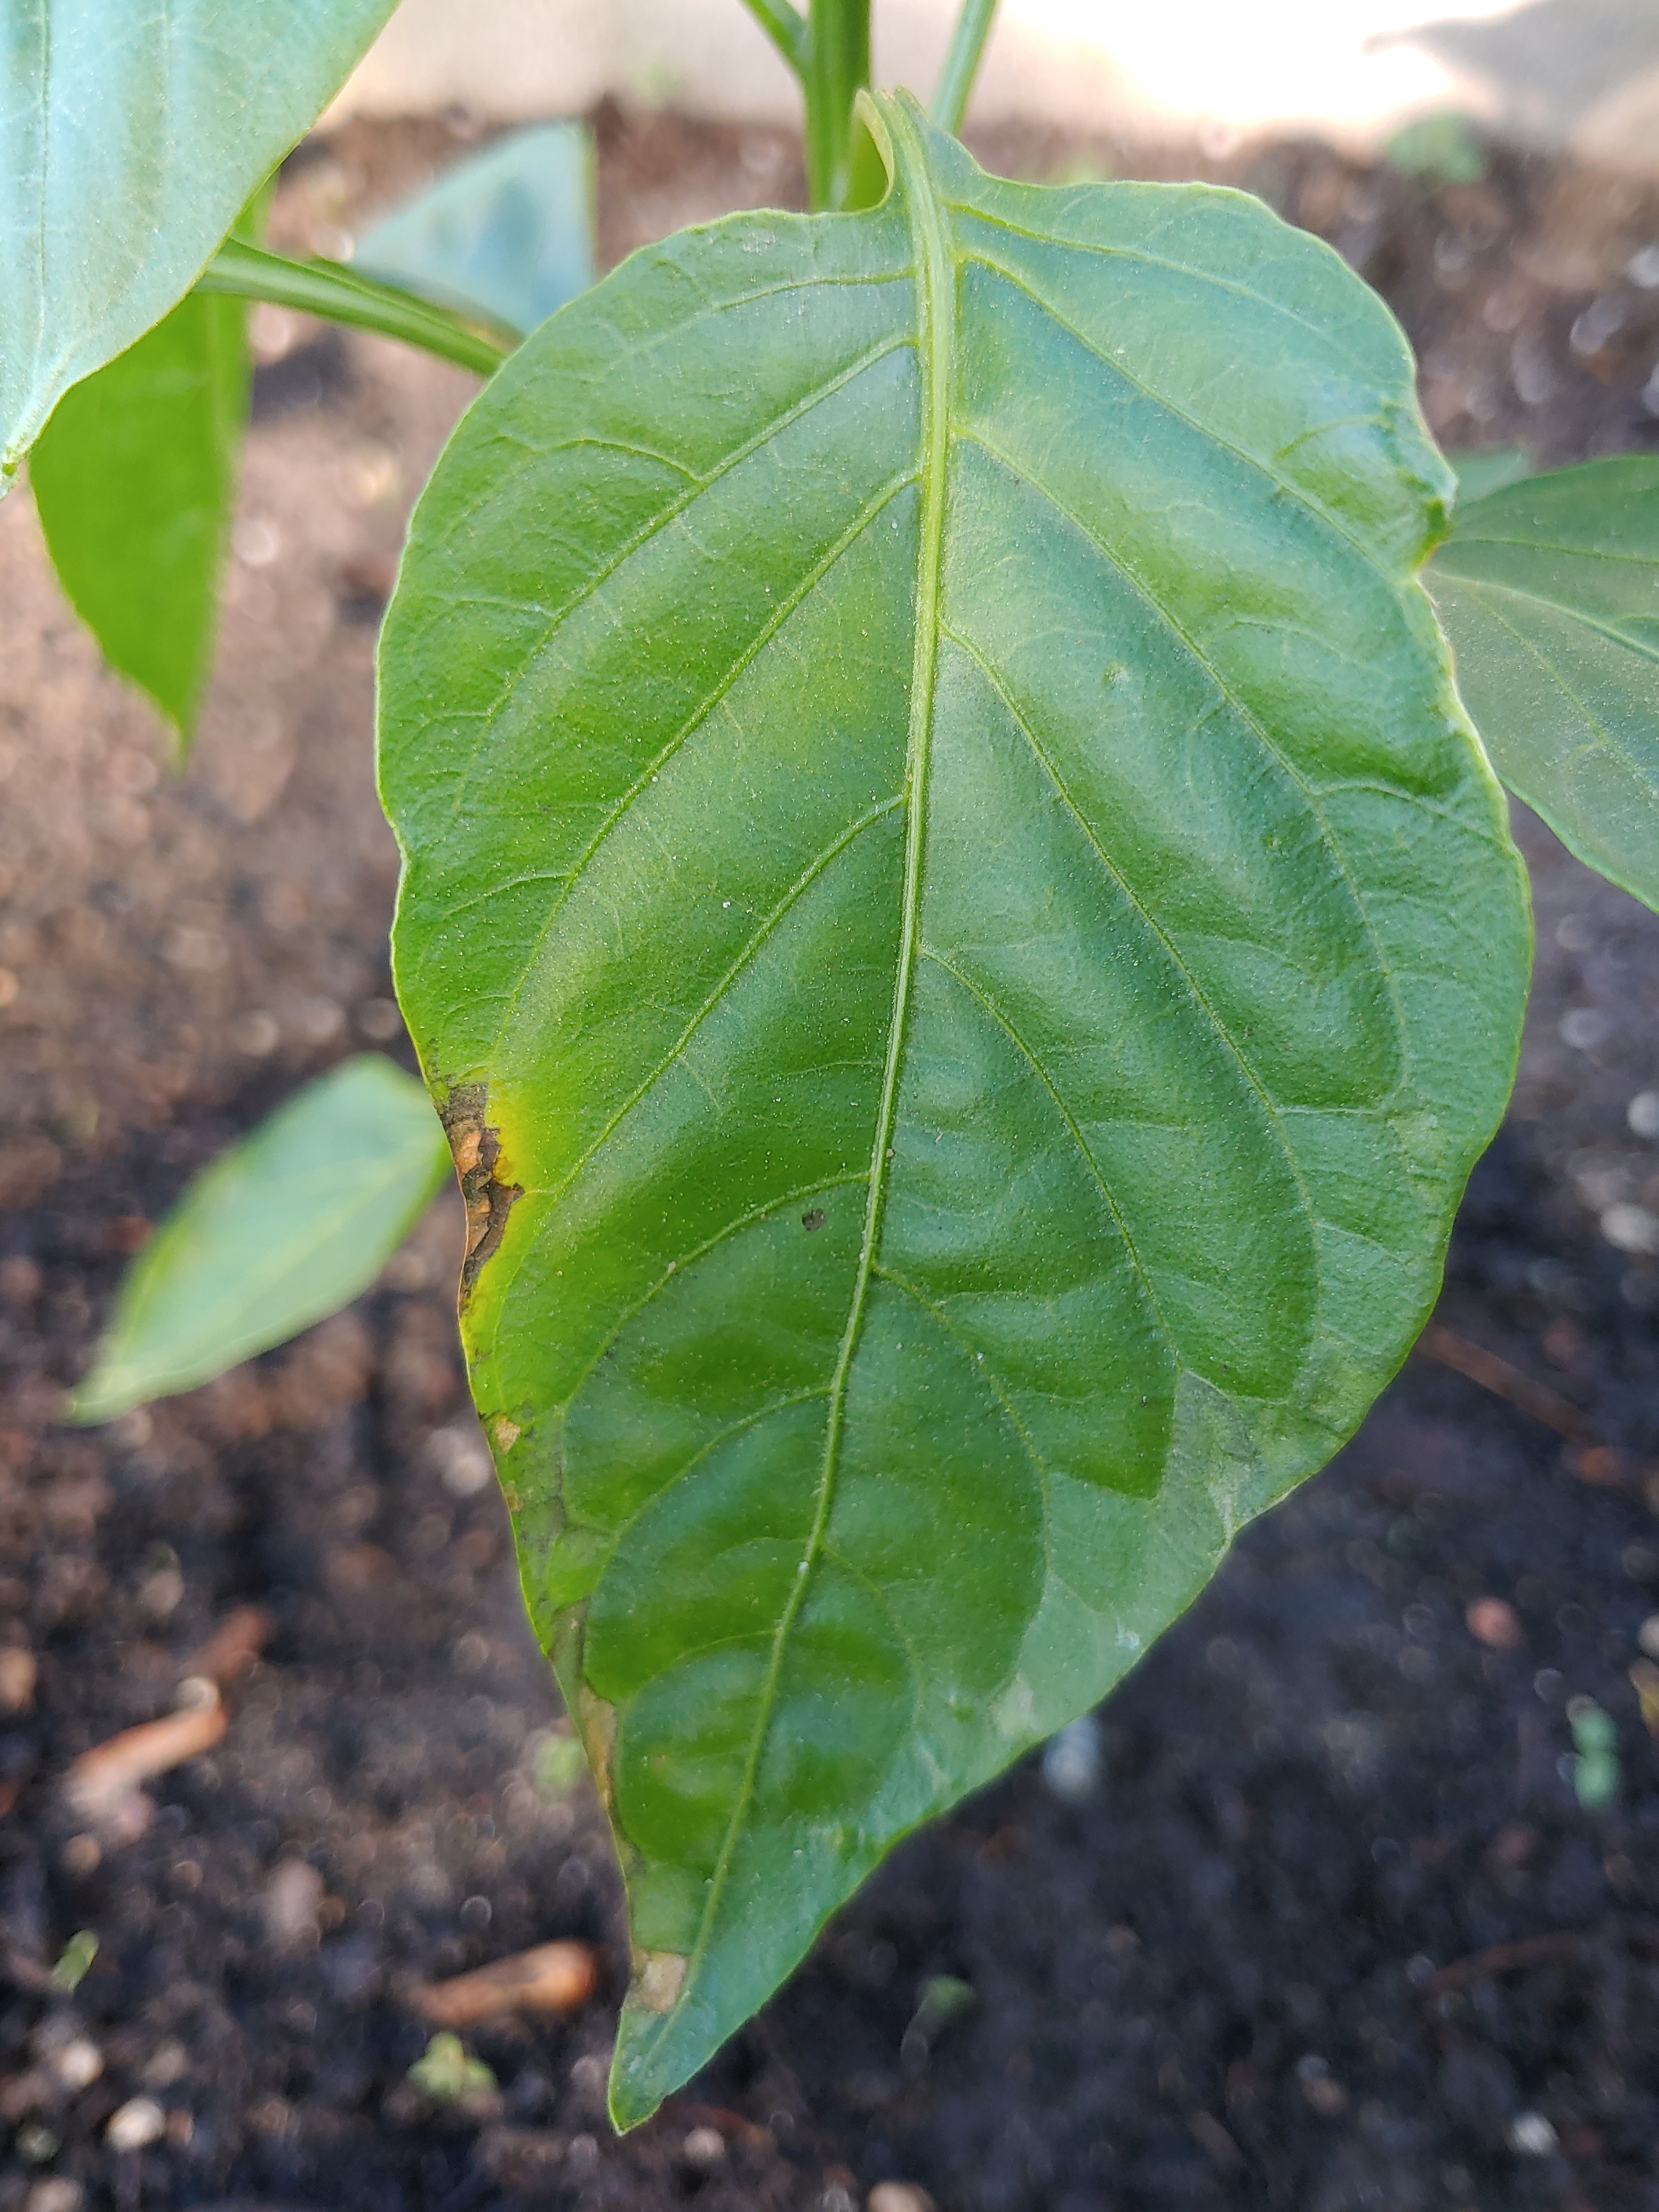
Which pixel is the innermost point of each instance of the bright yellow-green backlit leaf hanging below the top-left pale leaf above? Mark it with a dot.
(134, 481)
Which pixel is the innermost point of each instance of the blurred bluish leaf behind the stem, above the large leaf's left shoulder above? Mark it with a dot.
(508, 233)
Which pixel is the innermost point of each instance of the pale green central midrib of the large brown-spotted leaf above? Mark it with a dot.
(935, 353)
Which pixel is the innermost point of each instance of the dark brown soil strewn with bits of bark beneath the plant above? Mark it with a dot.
(1328, 1928)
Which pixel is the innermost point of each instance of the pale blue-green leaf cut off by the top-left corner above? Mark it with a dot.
(132, 132)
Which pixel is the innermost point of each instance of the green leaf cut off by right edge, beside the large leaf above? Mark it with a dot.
(1550, 594)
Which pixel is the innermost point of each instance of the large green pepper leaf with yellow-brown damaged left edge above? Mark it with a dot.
(966, 950)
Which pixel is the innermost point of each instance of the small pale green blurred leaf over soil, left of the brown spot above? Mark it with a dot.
(284, 1229)
